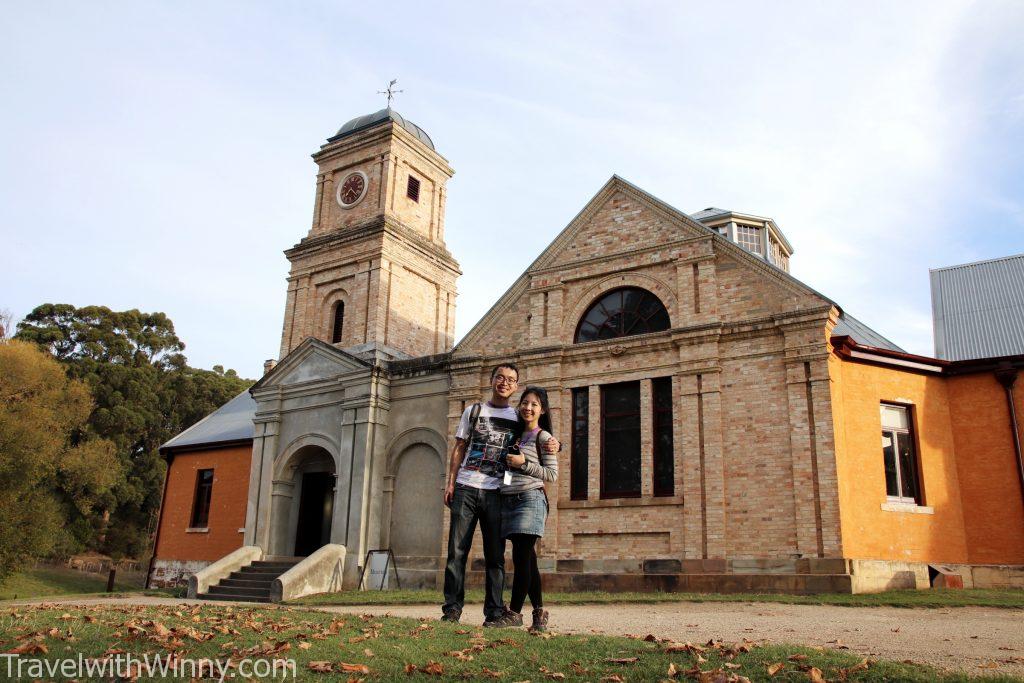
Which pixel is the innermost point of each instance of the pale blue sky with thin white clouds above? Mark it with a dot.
(156, 156)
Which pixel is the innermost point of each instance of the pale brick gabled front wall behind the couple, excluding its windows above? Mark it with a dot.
(741, 333)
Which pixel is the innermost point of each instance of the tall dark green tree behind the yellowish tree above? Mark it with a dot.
(145, 394)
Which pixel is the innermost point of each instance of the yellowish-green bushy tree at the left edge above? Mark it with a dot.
(49, 464)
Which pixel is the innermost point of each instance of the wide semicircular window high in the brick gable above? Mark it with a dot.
(622, 313)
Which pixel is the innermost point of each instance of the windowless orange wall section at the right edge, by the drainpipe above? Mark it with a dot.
(991, 488)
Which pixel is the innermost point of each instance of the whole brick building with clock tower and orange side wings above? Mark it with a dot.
(721, 419)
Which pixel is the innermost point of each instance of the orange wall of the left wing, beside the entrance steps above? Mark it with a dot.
(228, 505)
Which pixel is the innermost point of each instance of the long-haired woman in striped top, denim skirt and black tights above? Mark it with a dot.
(525, 505)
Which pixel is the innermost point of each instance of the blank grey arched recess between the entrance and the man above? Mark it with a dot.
(416, 507)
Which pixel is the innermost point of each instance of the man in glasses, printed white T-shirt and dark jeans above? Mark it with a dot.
(476, 474)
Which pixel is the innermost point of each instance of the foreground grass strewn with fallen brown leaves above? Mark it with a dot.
(356, 648)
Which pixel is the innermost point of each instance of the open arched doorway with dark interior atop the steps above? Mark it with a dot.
(304, 503)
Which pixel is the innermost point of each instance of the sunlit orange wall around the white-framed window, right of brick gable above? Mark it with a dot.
(869, 532)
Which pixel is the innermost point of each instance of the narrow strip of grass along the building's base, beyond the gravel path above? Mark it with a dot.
(1009, 599)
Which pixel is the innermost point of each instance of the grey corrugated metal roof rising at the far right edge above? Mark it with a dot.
(978, 310)
